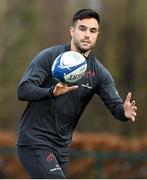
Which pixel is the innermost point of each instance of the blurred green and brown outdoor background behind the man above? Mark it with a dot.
(102, 146)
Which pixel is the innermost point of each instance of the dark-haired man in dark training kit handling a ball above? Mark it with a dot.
(54, 108)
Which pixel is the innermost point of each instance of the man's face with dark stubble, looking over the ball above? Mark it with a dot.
(84, 35)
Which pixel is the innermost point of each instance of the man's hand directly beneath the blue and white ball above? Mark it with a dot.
(61, 89)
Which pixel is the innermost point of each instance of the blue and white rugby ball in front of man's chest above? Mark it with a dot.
(69, 67)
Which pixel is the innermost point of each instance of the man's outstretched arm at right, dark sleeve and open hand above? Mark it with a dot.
(109, 94)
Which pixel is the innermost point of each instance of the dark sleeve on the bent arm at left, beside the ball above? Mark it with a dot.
(31, 86)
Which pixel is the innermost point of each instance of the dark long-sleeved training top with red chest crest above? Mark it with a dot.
(49, 121)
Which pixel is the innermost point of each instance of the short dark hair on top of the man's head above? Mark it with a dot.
(86, 13)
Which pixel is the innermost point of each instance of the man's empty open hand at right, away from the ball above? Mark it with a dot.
(130, 108)
